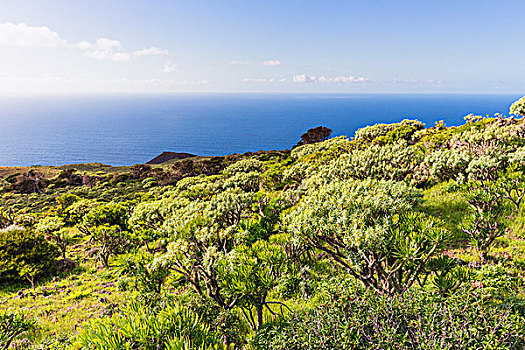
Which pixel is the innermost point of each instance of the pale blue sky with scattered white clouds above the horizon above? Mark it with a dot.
(275, 46)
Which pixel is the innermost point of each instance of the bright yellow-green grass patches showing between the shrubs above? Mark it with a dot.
(61, 307)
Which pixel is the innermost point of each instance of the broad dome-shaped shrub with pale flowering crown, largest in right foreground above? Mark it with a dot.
(371, 230)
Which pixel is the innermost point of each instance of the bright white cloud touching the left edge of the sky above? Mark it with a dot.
(23, 35)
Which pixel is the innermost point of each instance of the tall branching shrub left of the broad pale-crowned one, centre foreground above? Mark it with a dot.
(223, 250)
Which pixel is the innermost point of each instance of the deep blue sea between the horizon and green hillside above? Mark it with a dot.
(130, 129)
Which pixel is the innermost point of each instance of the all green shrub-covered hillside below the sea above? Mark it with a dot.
(403, 237)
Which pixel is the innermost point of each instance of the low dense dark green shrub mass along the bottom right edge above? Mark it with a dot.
(363, 320)
